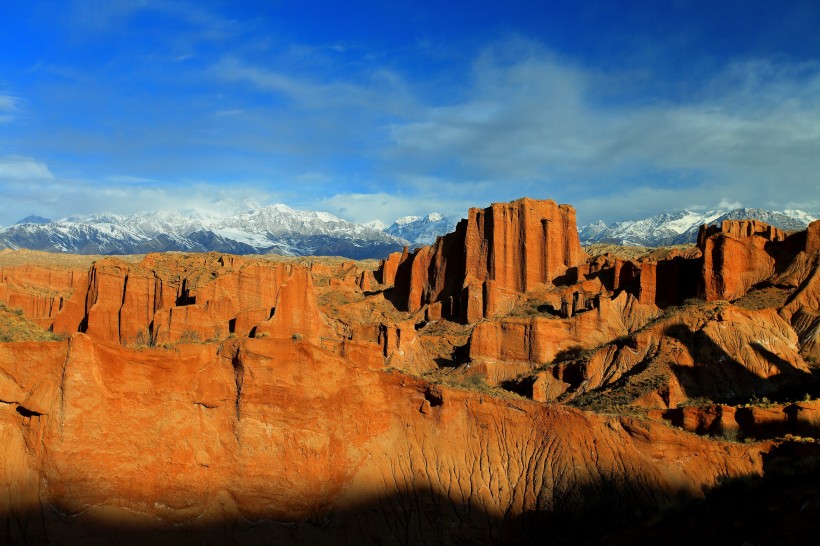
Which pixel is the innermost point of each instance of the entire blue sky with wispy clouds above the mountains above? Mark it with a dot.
(374, 110)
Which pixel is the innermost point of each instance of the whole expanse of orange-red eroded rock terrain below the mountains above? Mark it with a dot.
(499, 386)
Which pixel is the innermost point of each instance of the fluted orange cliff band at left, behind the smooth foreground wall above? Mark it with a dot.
(165, 300)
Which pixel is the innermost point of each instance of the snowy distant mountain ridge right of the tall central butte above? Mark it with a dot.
(680, 227)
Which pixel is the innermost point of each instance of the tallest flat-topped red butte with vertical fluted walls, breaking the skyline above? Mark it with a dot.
(494, 254)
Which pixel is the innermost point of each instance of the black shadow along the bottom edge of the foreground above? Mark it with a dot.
(783, 507)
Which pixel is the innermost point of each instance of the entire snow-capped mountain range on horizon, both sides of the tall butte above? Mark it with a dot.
(280, 229)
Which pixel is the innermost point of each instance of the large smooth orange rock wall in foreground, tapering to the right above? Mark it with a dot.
(276, 430)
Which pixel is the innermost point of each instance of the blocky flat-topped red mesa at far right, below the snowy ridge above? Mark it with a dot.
(737, 255)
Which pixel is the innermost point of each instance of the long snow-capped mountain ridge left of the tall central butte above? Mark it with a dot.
(275, 229)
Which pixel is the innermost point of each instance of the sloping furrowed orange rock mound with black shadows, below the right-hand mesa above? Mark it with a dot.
(722, 353)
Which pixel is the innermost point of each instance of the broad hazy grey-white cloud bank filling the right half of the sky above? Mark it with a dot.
(549, 128)
